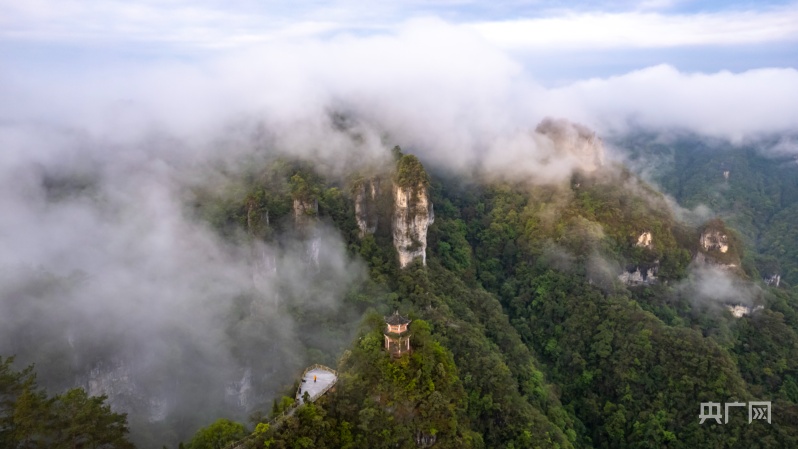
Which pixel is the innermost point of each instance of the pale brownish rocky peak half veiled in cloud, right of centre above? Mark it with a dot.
(574, 141)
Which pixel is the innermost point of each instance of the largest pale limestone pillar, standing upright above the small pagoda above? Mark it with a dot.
(412, 216)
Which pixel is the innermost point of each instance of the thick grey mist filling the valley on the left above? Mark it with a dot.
(109, 281)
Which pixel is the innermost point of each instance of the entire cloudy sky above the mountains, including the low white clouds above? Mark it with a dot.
(726, 69)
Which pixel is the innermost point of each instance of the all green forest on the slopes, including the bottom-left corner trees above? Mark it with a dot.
(523, 335)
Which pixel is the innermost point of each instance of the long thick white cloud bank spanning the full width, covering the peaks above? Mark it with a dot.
(437, 87)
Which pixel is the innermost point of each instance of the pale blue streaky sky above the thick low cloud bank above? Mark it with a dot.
(575, 39)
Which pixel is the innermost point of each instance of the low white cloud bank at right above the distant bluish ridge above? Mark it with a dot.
(723, 104)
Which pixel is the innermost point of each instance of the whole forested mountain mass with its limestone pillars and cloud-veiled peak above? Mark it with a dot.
(584, 311)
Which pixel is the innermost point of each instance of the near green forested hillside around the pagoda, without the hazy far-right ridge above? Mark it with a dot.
(528, 329)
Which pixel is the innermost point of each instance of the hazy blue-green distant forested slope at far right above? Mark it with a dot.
(753, 187)
